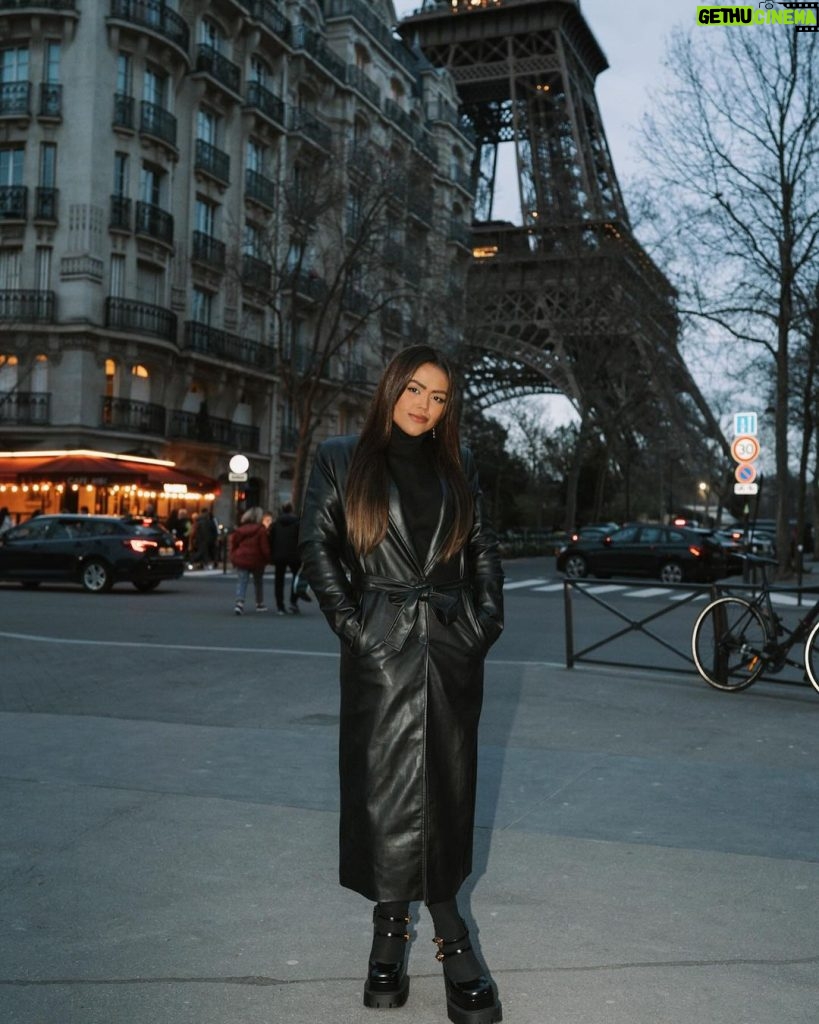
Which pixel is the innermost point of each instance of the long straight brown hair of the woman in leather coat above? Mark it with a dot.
(368, 484)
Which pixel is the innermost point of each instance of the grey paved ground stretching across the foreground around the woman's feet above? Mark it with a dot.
(646, 848)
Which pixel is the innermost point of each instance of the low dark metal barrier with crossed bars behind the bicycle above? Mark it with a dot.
(607, 649)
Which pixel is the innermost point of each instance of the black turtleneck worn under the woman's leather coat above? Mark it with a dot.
(412, 466)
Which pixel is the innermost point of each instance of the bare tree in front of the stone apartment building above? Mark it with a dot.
(342, 275)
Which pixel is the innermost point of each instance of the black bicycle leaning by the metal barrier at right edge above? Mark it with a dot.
(736, 641)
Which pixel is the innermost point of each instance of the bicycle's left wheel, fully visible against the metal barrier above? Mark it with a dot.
(728, 642)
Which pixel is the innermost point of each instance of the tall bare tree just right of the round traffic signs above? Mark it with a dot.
(736, 151)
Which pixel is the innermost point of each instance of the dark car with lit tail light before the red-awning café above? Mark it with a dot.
(96, 551)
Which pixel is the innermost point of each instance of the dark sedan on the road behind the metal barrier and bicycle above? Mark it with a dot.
(672, 554)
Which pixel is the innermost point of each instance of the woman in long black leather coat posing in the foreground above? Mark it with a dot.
(397, 546)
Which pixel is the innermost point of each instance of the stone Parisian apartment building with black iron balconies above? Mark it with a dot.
(157, 276)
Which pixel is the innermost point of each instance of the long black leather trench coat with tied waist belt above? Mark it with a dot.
(413, 644)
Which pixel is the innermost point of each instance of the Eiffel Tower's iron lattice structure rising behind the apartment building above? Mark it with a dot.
(562, 297)
